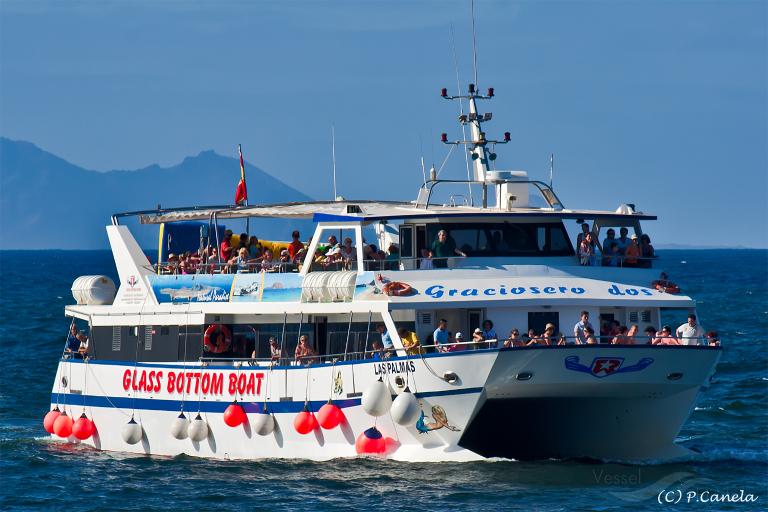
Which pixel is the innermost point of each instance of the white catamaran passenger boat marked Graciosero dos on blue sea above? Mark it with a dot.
(180, 363)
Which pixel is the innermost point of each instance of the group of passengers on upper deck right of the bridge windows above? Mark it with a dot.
(623, 251)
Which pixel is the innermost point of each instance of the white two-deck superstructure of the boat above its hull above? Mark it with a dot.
(374, 271)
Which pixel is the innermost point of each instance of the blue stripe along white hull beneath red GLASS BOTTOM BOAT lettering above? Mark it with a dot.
(156, 404)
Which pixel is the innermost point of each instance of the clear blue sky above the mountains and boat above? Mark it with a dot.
(663, 104)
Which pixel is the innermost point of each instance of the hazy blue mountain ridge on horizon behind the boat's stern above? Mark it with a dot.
(47, 202)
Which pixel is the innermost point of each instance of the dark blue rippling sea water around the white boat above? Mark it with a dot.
(728, 429)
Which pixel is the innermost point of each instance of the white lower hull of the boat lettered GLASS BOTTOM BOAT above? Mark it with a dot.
(604, 402)
